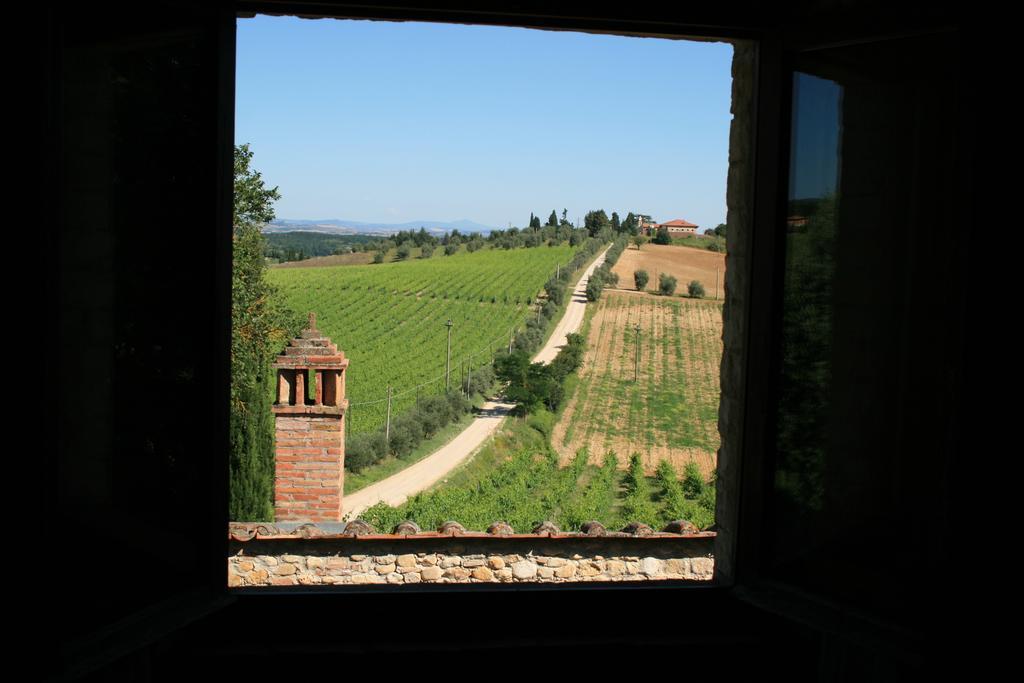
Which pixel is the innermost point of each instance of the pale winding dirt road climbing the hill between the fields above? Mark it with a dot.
(419, 477)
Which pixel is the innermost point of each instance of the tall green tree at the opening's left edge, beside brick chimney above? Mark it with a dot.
(260, 329)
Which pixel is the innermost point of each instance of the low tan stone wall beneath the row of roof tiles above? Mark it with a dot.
(399, 561)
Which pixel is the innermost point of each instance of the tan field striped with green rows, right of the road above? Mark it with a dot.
(671, 412)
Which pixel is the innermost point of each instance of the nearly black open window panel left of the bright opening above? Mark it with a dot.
(139, 313)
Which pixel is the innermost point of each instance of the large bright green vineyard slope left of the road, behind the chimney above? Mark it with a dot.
(391, 319)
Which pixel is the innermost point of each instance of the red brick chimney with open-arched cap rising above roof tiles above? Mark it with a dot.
(311, 434)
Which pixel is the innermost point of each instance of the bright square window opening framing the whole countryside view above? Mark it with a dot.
(438, 326)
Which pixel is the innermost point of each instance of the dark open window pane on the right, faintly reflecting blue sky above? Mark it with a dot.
(867, 363)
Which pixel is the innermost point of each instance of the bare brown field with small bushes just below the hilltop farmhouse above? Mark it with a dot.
(685, 263)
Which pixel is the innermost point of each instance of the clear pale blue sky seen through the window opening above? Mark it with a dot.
(393, 122)
